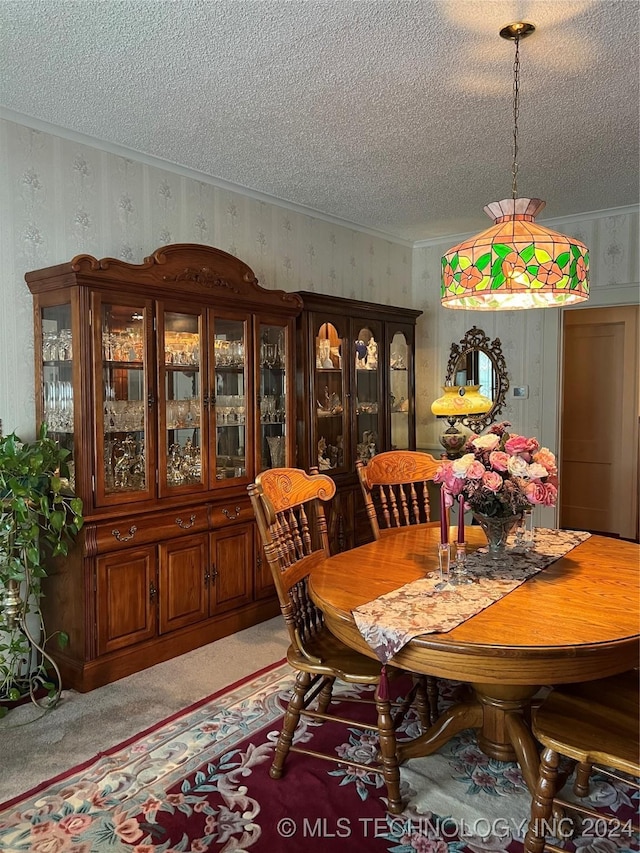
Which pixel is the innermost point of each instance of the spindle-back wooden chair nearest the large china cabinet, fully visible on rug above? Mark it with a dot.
(288, 505)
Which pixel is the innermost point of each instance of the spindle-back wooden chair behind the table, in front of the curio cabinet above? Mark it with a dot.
(395, 487)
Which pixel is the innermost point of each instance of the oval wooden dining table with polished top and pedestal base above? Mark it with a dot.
(576, 620)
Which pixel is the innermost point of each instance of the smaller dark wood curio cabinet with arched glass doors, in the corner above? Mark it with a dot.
(355, 397)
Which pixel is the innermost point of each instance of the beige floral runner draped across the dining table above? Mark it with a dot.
(388, 623)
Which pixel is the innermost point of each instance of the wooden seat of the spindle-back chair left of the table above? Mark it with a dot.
(336, 659)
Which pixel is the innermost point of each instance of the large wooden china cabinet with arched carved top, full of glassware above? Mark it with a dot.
(172, 383)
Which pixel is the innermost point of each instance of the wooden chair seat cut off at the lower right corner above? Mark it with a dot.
(593, 723)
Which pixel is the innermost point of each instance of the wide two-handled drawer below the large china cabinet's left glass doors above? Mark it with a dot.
(132, 530)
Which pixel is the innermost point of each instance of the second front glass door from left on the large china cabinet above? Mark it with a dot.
(182, 422)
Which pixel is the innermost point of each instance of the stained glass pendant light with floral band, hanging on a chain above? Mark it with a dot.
(515, 263)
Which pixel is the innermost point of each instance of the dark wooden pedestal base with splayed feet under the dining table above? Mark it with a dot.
(500, 713)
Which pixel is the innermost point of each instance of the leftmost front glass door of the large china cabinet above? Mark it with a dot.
(124, 401)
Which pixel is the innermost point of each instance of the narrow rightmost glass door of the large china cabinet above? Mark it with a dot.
(272, 353)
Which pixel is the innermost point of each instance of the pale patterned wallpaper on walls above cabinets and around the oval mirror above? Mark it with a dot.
(61, 198)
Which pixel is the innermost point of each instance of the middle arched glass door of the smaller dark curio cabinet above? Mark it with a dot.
(367, 357)
